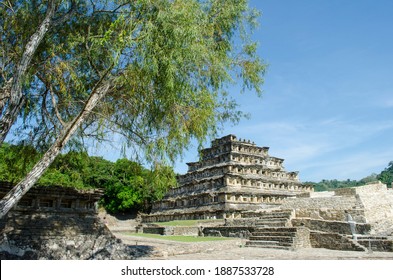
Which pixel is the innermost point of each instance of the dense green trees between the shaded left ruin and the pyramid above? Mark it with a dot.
(127, 185)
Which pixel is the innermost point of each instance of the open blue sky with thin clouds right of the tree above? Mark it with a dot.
(327, 106)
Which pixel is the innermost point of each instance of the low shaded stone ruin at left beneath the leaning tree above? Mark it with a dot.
(58, 223)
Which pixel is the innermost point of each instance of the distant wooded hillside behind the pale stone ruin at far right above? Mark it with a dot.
(386, 177)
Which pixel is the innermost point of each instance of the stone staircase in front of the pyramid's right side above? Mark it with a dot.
(273, 230)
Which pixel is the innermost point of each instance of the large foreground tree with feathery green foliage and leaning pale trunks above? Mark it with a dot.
(153, 71)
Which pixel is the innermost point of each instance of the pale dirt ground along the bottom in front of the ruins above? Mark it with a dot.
(234, 250)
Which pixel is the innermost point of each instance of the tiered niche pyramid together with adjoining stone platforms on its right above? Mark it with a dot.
(249, 191)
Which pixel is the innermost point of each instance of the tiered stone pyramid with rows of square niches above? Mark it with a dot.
(231, 177)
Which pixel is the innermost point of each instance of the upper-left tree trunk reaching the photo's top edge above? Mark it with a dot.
(15, 99)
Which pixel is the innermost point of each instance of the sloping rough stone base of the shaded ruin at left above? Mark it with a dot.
(59, 236)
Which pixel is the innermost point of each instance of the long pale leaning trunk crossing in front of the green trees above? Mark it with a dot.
(16, 193)
